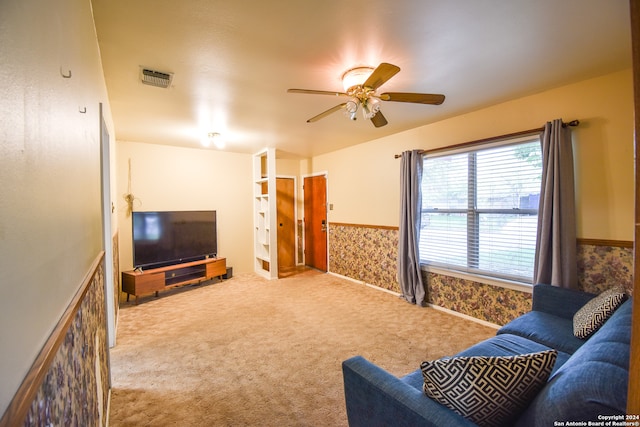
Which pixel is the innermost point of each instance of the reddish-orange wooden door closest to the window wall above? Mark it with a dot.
(315, 222)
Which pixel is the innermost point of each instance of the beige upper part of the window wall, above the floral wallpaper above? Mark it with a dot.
(367, 191)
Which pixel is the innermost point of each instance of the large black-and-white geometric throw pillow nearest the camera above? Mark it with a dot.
(488, 390)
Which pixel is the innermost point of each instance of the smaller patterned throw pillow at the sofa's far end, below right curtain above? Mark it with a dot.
(593, 314)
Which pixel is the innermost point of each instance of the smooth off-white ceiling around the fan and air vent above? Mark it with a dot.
(233, 62)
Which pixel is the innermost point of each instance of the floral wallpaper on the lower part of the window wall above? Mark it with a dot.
(369, 254)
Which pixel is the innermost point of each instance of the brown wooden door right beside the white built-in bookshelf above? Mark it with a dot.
(285, 207)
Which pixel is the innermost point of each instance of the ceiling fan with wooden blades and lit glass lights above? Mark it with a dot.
(360, 86)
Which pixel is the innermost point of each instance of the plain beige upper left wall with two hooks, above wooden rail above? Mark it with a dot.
(50, 209)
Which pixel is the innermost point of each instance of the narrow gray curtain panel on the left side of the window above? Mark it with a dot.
(409, 274)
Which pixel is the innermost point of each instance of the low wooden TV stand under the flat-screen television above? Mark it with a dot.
(138, 283)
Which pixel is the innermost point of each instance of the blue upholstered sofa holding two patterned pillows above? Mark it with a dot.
(588, 380)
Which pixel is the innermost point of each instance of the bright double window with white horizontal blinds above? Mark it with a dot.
(480, 208)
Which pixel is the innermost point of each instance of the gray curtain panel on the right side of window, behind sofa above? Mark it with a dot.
(555, 258)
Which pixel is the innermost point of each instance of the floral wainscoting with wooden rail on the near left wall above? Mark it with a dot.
(70, 380)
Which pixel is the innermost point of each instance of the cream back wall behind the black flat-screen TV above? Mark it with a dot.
(173, 178)
